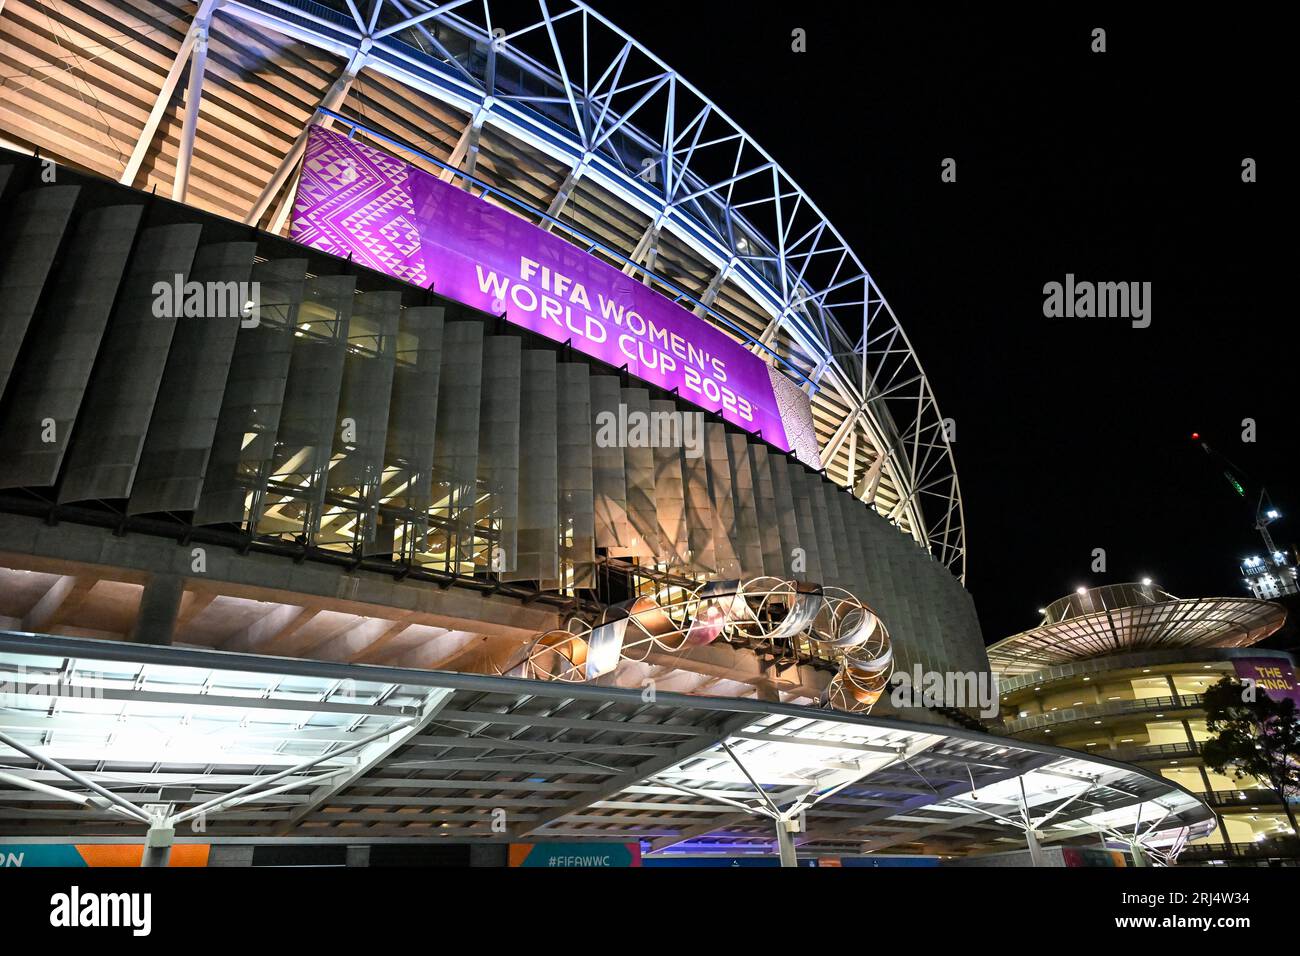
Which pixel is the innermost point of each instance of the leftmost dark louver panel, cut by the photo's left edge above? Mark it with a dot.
(34, 227)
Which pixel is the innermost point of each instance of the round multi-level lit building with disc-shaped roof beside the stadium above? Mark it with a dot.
(1121, 672)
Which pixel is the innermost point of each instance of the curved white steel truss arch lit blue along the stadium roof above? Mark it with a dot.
(714, 189)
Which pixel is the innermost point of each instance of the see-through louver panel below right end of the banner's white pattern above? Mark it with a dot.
(363, 416)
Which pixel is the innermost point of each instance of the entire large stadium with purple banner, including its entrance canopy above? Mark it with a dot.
(272, 473)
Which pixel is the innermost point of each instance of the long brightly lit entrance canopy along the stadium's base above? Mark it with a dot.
(241, 746)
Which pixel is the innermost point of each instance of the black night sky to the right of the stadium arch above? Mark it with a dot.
(1126, 166)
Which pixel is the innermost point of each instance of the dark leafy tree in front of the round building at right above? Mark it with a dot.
(1255, 736)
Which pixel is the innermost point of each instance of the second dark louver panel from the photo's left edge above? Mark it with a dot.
(46, 393)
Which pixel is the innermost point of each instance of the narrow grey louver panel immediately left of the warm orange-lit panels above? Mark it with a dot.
(575, 470)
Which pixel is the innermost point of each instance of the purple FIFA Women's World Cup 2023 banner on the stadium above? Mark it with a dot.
(408, 223)
